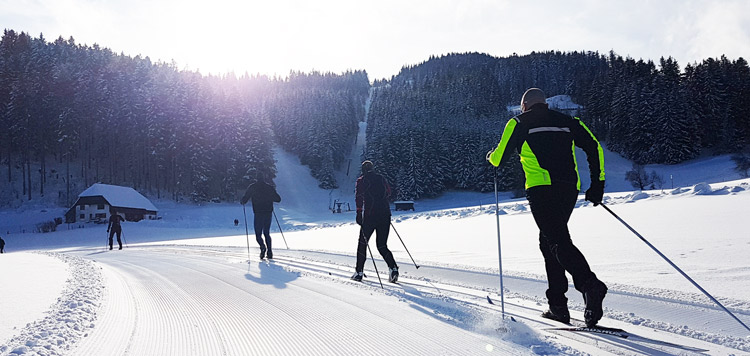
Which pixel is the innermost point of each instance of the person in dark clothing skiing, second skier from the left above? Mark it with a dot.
(262, 194)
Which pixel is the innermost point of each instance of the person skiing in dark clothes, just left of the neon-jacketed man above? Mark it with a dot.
(373, 215)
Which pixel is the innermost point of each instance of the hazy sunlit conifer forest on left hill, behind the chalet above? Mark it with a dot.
(99, 116)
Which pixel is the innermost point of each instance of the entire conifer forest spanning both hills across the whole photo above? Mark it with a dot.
(105, 117)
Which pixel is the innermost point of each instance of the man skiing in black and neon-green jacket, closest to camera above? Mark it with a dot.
(544, 139)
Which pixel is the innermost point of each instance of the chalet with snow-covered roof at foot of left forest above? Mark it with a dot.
(94, 203)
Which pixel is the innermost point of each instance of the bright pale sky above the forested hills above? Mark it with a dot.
(380, 36)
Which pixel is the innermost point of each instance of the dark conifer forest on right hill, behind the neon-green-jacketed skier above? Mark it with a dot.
(430, 125)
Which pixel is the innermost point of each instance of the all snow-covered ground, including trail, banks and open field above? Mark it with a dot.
(186, 285)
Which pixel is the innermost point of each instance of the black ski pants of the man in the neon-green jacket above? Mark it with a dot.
(551, 207)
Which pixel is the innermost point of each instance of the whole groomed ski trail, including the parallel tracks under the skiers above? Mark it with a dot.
(188, 300)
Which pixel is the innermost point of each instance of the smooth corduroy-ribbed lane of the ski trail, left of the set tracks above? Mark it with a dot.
(172, 302)
